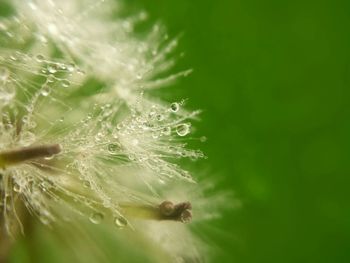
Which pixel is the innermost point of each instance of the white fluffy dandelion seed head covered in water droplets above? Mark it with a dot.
(78, 137)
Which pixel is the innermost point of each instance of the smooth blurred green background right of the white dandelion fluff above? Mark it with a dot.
(273, 79)
